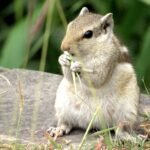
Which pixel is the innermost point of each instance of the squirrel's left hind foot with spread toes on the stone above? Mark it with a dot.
(58, 131)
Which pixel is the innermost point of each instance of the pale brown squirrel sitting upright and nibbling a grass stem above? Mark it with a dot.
(107, 78)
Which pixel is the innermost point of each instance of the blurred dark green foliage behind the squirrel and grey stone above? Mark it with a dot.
(32, 30)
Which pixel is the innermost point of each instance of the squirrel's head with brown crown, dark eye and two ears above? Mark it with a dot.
(87, 32)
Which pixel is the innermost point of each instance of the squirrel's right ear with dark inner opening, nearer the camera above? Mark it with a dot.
(107, 22)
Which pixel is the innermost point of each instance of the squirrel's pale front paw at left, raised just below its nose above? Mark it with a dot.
(64, 60)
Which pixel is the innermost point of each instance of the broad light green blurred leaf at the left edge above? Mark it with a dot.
(13, 51)
